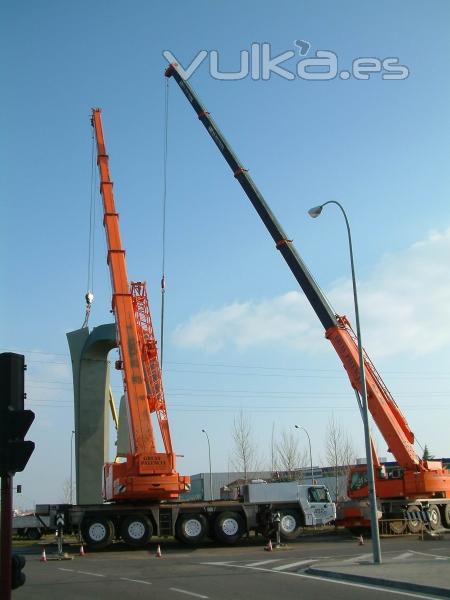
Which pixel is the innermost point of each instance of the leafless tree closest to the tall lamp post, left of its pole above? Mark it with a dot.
(340, 454)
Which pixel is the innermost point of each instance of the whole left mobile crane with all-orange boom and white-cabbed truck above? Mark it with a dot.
(142, 493)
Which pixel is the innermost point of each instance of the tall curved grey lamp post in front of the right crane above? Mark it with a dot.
(315, 212)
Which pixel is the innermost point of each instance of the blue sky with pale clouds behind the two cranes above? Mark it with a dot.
(238, 333)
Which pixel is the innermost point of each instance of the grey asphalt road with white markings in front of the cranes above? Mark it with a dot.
(319, 568)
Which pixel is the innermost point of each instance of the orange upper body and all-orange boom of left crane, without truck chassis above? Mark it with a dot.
(146, 474)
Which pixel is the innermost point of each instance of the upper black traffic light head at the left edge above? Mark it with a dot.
(14, 420)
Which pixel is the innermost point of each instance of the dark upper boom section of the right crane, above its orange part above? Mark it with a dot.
(300, 271)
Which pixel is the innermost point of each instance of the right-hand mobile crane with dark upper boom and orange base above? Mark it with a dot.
(417, 483)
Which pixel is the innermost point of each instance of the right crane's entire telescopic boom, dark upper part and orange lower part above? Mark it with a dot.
(421, 477)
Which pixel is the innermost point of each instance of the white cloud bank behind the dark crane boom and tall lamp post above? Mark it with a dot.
(404, 304)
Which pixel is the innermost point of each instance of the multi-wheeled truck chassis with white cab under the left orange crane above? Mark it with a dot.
(260, 506)
